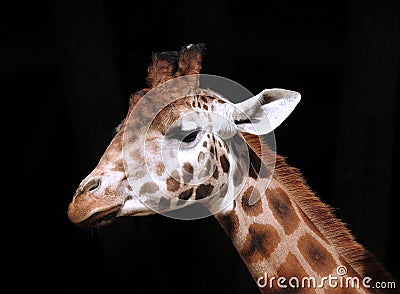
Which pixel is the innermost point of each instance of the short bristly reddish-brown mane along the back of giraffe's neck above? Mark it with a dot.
(322, 215)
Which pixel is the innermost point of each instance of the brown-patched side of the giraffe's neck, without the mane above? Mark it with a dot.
(276, 239)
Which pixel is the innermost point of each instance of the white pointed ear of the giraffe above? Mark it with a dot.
(264, 112)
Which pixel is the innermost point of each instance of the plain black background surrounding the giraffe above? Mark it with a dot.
(71, 66)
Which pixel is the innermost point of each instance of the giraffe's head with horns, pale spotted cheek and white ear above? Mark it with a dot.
(179, 151)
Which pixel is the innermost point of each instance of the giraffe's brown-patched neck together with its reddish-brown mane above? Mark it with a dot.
(290, 234)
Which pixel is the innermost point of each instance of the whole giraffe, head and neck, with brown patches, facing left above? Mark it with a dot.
(288, 238)
